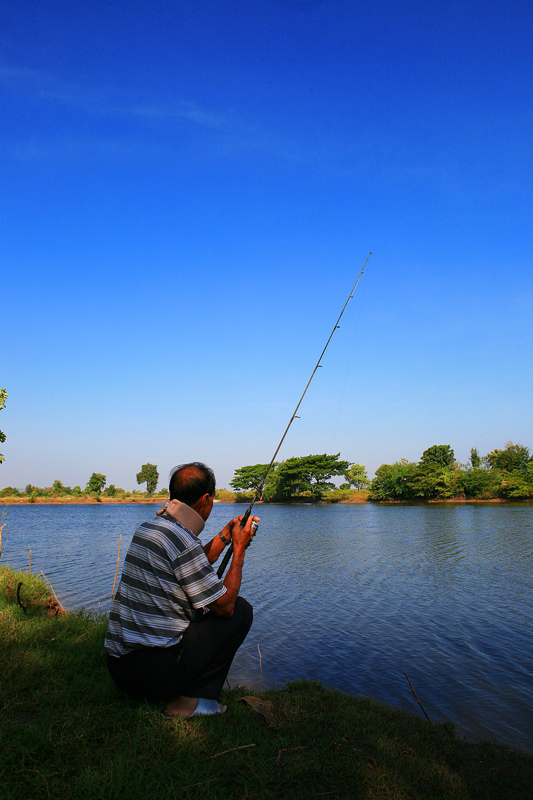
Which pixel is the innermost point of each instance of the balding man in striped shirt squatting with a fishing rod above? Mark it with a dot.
(174, 626)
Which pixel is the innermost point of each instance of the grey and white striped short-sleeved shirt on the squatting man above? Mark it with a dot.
(166, 576)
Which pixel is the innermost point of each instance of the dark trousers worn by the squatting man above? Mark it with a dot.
(196, 667)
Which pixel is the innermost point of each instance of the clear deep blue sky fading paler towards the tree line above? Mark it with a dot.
(188, 193)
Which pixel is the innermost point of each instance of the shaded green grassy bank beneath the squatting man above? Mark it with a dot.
(67, 733)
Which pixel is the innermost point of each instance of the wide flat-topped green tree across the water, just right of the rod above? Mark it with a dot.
(306, 474)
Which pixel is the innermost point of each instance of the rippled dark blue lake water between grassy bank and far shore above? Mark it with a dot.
(352, 595)
